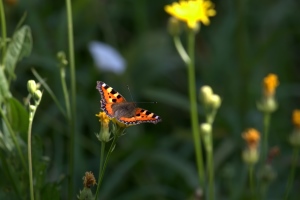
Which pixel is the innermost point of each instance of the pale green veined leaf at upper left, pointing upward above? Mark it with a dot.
(19, 47)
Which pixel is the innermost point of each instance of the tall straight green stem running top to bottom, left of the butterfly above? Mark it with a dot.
(73, 98)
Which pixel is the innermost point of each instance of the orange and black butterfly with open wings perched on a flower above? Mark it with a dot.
(116, 106)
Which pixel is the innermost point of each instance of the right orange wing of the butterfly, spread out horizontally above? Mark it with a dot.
(141, 116)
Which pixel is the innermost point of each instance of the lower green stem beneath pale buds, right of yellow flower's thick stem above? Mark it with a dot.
(210, 169)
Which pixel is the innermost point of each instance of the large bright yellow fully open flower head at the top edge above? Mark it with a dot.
(192, 11)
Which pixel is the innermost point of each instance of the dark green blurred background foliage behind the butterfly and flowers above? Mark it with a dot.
(245, 41)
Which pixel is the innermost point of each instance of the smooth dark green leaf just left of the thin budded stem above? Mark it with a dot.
(17, 115)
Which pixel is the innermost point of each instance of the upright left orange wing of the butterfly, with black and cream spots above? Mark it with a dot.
(109, 96)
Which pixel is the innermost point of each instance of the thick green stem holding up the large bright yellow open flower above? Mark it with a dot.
(193, 107)
